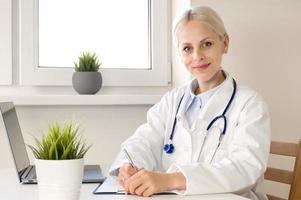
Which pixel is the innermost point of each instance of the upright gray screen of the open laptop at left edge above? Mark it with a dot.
(13, 130)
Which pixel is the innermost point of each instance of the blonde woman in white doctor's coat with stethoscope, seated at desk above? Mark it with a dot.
(210, 136)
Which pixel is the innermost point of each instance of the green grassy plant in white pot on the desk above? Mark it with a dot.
(59, 162)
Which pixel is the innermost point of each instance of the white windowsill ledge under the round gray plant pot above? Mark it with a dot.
(66, 96)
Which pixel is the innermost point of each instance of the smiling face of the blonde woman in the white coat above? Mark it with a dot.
(201, 51)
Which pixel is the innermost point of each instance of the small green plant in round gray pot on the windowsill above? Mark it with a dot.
(87, 79)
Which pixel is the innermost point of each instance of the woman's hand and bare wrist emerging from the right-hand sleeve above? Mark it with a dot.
(147, 183)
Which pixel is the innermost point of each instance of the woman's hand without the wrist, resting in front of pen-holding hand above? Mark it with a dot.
(146, 183)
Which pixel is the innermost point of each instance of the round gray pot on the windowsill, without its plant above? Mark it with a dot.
(87, 82)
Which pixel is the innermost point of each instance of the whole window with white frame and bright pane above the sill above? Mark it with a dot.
(132, 39)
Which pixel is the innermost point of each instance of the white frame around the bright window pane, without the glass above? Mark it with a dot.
(159, 75)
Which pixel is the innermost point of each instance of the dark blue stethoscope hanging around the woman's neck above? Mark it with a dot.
(169, 147)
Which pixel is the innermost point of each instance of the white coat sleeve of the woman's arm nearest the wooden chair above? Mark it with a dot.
(245, 162)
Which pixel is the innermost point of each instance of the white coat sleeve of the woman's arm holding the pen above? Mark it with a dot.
(145, 145)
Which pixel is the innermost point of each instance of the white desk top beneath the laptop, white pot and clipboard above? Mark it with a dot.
(11, 189)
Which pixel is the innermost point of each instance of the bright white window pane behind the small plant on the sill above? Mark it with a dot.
(116, 30)
